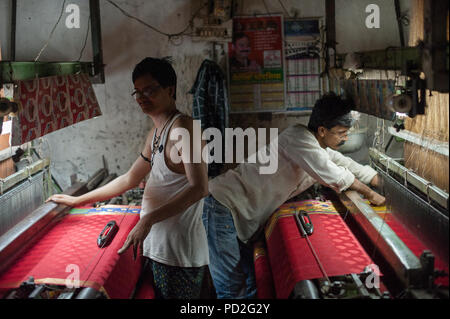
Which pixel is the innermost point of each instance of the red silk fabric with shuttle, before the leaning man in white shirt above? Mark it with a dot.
(290, 256)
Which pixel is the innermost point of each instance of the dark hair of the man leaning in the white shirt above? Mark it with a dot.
(331, 110)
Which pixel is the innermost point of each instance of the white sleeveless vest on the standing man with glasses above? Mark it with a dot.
(181, 239)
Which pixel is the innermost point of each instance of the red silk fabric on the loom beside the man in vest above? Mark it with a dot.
(73, 241)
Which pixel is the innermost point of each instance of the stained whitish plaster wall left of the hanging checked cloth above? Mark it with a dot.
(119, 134)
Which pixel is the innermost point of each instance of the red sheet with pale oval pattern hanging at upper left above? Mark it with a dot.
(51, 103)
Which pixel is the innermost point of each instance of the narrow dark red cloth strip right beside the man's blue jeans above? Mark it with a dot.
(264, 280)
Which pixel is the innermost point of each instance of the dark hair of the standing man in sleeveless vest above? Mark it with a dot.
(160, 69)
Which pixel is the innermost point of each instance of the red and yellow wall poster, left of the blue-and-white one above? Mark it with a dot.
(256, 64)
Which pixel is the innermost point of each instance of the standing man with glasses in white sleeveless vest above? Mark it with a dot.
(170, 233)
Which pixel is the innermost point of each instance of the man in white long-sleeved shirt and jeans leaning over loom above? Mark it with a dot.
(242, 200)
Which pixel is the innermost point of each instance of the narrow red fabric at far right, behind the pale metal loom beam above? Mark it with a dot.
(412, 242)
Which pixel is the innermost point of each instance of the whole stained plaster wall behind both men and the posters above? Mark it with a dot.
(119, 134)
